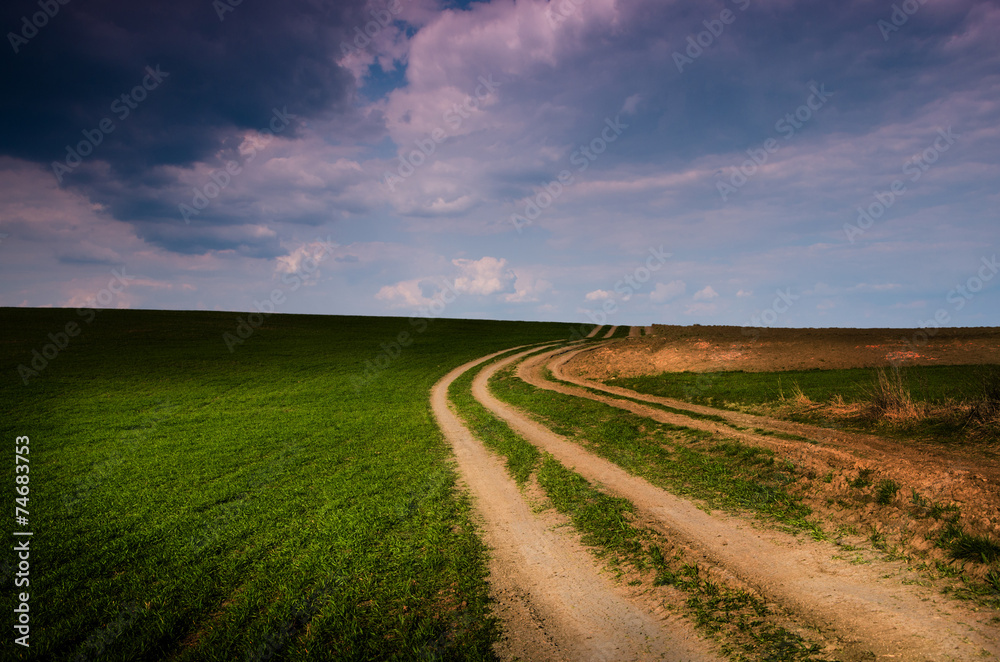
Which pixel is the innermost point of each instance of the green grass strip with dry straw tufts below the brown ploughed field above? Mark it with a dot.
(940, 403)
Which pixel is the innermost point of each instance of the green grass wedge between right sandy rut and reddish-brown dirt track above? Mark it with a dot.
(725, 474)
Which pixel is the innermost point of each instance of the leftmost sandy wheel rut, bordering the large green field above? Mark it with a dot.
(551, 596)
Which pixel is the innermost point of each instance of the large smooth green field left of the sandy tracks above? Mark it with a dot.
(190, 503)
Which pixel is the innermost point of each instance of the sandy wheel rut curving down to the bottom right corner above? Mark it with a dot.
(867, 613)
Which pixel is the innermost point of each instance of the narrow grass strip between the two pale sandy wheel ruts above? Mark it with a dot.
(606, 524)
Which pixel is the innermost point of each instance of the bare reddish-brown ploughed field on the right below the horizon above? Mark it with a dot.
(713, 348)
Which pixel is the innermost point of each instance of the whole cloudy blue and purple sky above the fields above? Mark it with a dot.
(741, 162)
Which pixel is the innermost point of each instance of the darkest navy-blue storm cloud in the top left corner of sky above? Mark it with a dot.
(218, 75)
